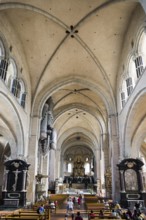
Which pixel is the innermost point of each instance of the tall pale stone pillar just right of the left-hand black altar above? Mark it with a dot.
(33, 157)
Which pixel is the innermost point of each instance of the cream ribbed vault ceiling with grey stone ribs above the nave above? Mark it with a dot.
(80, 40)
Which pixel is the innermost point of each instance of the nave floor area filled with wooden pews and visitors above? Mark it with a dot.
(89, 207)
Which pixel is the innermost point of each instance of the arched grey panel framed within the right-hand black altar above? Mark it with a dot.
(131, 180)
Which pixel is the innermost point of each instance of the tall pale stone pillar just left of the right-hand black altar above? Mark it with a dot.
(114, 155)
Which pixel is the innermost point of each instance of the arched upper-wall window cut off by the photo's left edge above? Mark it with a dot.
(3, 62)
